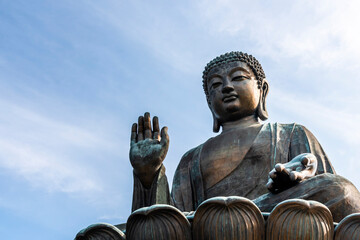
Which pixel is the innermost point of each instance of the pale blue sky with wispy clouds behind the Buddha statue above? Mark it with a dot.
(74, 76)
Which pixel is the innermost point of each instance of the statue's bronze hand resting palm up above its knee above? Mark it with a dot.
(284, 176)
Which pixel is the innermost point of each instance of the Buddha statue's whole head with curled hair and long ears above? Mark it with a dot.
(235, 87)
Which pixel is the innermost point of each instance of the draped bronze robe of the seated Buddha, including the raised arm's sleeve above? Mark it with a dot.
(274, 143)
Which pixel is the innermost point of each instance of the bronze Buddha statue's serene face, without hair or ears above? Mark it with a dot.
(233, 91)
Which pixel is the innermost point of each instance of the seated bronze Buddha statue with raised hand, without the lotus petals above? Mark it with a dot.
(264, 162)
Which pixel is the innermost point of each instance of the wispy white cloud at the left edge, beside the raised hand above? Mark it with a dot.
(42, 150)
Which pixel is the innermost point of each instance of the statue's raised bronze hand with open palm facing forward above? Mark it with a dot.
(148, 148)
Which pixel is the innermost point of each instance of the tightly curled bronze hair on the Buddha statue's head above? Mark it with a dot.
(234, 57)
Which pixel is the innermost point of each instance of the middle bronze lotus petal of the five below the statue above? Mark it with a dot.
(228, 218)
